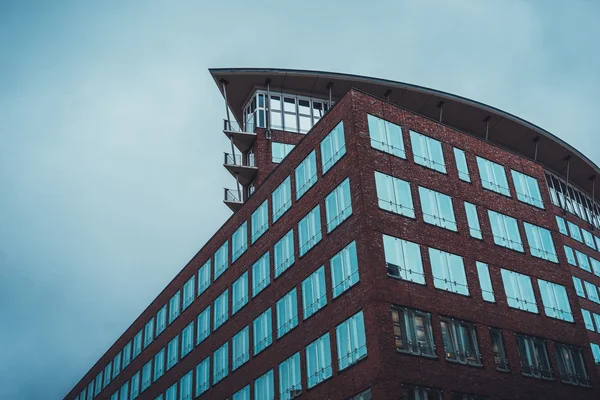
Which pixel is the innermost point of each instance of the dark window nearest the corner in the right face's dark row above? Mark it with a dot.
(413, 333)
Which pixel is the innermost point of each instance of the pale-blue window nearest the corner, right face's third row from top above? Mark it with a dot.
(403, 259)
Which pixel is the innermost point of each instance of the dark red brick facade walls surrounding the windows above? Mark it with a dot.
(384, 370)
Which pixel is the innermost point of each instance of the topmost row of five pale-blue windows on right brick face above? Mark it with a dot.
(387, 137)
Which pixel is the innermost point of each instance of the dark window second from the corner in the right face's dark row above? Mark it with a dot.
(460, 341)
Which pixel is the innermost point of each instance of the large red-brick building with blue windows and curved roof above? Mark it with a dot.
(388, 241)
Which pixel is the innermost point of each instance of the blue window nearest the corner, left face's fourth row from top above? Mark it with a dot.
(351, 341)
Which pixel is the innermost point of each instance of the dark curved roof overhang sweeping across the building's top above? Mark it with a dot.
(469, 116)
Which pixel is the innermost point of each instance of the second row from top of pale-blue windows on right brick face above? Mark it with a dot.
(395, 195)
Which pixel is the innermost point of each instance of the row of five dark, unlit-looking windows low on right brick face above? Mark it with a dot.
(414, 334)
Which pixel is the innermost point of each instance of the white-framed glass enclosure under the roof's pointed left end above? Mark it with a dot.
(289, 112)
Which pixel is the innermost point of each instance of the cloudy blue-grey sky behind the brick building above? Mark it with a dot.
(110, 141)
